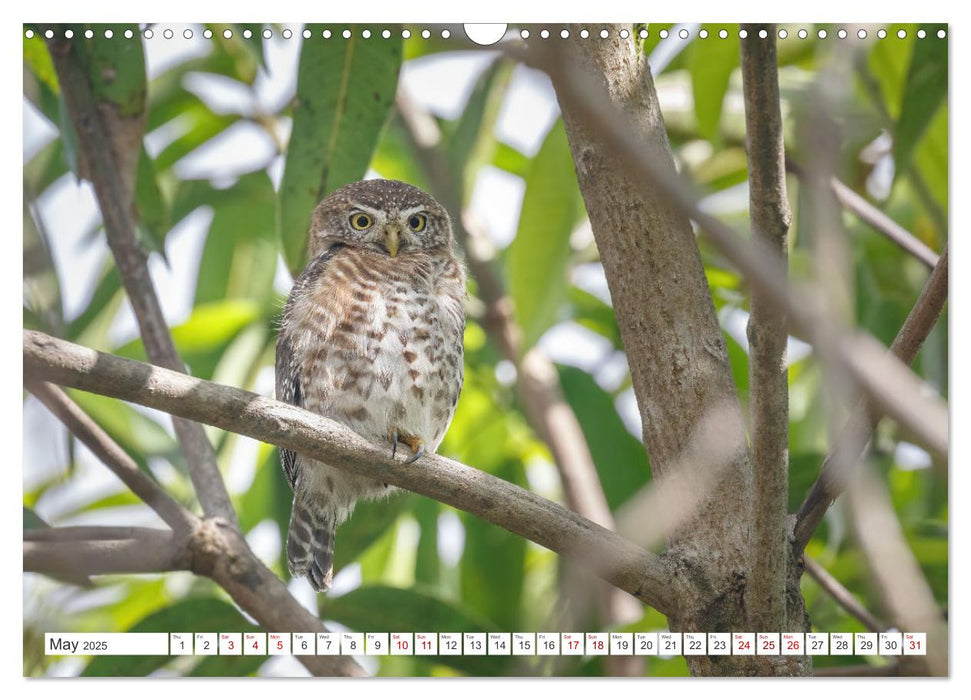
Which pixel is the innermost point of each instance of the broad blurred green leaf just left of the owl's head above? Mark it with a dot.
(239, 258)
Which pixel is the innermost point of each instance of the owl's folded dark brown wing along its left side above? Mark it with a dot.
(288, 372)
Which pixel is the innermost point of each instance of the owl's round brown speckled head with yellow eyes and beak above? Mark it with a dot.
(387, 216)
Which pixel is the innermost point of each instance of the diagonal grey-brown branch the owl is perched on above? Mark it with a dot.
(643, 574)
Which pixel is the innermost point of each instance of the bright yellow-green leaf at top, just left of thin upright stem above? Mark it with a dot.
(711, 62)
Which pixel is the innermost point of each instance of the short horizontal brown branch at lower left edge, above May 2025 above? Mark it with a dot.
(61, 554)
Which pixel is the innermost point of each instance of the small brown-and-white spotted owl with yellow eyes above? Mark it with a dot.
(371, 337)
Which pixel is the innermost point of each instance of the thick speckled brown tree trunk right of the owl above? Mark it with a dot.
(676, 351)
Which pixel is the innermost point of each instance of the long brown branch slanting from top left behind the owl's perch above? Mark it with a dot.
(114, 187)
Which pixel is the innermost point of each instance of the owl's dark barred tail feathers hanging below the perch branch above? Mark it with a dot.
(310, 544)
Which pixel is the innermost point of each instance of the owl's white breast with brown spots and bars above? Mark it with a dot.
(386, 352)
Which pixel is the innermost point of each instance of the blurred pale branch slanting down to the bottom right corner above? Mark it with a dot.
(896, 574)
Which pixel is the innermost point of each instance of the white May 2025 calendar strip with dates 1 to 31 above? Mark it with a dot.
(666, 644)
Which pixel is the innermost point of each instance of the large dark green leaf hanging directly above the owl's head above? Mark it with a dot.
(345, 91)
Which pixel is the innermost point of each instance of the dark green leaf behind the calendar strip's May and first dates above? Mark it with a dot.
(190, 616)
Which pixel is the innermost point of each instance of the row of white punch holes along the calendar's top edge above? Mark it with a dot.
(682, 33)
